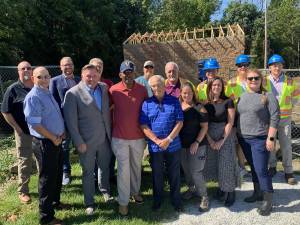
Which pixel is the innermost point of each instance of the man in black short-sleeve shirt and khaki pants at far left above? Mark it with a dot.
(12, 110)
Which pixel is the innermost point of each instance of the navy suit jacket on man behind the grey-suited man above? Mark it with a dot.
(58, 87)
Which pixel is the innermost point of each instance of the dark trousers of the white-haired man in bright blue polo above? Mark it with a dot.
(172, 160)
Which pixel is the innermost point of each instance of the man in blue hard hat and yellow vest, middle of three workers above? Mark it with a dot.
(234, 89)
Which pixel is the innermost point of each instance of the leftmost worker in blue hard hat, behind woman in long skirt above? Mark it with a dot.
(211, 67)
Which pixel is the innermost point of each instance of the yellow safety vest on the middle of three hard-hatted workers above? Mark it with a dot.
(234, 89)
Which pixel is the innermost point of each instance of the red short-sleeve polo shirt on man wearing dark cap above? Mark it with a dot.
(127, 106)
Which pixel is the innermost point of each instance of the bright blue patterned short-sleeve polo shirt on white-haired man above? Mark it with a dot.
(161, 118)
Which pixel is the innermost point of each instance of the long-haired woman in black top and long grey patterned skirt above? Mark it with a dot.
(221, 150)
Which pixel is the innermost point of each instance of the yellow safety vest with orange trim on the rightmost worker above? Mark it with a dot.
(289, 92)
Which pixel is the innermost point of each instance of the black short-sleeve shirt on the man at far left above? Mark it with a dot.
(13, 103)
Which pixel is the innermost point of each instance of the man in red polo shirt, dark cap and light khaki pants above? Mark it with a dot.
(128, 141)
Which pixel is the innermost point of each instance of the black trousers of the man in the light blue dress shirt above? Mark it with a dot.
(50, 159)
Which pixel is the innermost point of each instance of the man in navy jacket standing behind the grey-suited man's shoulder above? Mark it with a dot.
(58, 87)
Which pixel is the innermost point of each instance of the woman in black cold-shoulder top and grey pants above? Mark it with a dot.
(193, 154)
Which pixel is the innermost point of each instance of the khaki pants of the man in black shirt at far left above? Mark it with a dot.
(24, 157)
